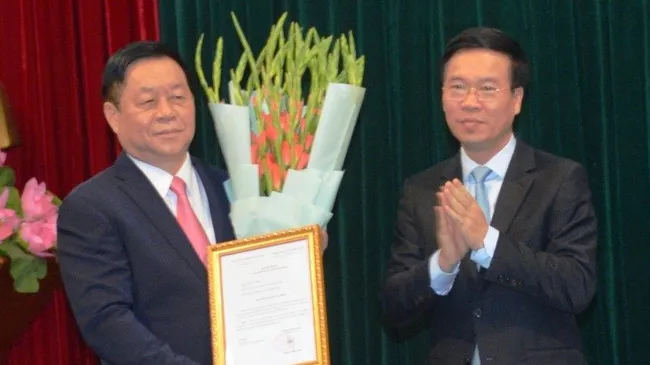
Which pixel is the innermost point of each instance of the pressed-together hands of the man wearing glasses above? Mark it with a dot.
(460, 224)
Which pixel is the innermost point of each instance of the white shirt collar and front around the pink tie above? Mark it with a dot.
(162, 181)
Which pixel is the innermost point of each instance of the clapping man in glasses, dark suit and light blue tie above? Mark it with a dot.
(496, 247)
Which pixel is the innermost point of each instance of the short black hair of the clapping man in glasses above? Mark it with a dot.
(494, 40)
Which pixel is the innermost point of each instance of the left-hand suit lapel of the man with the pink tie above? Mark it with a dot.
(139, 189)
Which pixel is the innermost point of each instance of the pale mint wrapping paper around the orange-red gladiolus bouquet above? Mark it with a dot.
(308, 195)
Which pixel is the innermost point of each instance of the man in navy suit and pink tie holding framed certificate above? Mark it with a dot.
(134, 276)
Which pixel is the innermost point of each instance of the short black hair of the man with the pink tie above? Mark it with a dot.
(118, 64)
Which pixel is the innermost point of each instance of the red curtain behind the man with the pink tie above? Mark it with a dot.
(51, 59)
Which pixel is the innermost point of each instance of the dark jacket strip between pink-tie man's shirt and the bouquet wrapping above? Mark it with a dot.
(223, 230)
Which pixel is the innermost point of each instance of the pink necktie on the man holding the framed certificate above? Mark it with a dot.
(188, 220)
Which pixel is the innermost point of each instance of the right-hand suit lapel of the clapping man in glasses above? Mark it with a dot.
(515, 187)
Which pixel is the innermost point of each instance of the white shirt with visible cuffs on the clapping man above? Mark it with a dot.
(442, 282)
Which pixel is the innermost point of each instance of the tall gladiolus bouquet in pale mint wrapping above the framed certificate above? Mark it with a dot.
(284, 150)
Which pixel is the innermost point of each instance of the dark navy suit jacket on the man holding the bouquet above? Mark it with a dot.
(138, 290)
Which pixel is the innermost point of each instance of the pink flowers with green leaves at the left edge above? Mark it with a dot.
(27, 228)
